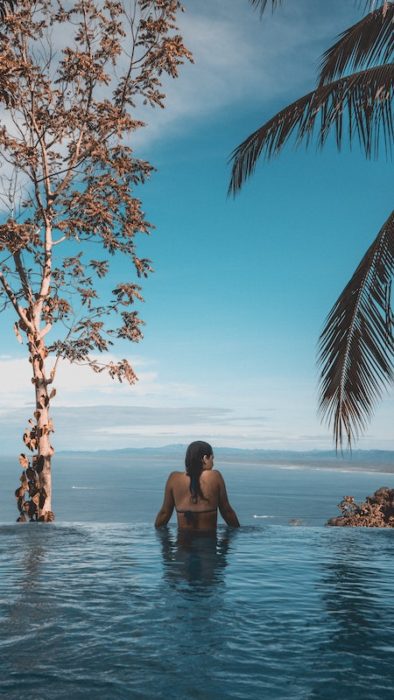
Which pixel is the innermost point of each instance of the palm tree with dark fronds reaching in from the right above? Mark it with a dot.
(356, 345)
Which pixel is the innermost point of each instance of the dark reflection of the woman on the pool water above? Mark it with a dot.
(198, 559)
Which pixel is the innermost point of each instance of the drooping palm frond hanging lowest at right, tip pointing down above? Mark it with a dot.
(356, 347)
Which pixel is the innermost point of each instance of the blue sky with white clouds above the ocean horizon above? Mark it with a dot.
(241, 286)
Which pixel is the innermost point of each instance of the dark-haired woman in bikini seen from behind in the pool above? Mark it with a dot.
(197, 493)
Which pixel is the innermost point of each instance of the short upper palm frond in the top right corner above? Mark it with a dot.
(369, 41)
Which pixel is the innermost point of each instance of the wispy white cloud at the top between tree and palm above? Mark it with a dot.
(238, 58)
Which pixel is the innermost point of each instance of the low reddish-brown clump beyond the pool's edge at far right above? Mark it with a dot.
(375, 511)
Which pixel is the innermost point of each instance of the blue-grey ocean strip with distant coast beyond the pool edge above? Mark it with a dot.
(122, 485)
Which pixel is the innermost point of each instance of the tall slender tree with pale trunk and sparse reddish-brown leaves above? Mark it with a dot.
(78, 73)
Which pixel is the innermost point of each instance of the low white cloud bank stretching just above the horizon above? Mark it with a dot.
(91, 411)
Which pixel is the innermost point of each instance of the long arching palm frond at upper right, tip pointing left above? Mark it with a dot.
(360, 103)
